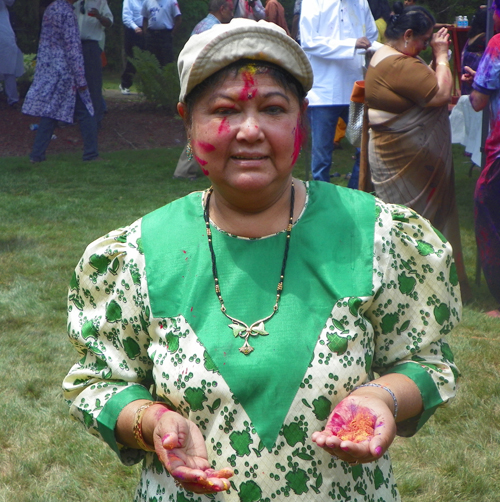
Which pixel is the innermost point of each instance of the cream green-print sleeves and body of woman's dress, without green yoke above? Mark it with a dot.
(398, 328)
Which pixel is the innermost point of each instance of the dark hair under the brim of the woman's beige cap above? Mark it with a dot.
(281, 77)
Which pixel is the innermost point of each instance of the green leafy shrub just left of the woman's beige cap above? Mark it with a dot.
(159, 85)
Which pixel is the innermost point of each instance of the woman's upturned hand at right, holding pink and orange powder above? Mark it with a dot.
(371, 409)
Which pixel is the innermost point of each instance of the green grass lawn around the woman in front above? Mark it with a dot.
(51, 211)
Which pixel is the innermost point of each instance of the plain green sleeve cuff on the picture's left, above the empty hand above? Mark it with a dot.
(106, 421)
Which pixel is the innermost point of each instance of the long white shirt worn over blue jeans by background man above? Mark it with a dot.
(328, 33)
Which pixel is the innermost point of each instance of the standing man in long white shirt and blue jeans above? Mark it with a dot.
(334, 34)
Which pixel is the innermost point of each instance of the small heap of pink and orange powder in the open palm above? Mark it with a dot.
(352, 423)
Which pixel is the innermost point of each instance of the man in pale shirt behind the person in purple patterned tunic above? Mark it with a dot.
(93, 17)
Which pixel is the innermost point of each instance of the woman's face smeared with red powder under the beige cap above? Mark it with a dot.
(247, 134)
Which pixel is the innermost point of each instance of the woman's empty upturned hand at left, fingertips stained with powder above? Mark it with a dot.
(181, 448)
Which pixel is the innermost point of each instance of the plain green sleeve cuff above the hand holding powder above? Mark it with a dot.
(428, 390)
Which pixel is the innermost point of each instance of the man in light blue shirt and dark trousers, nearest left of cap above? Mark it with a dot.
(161, 20)
